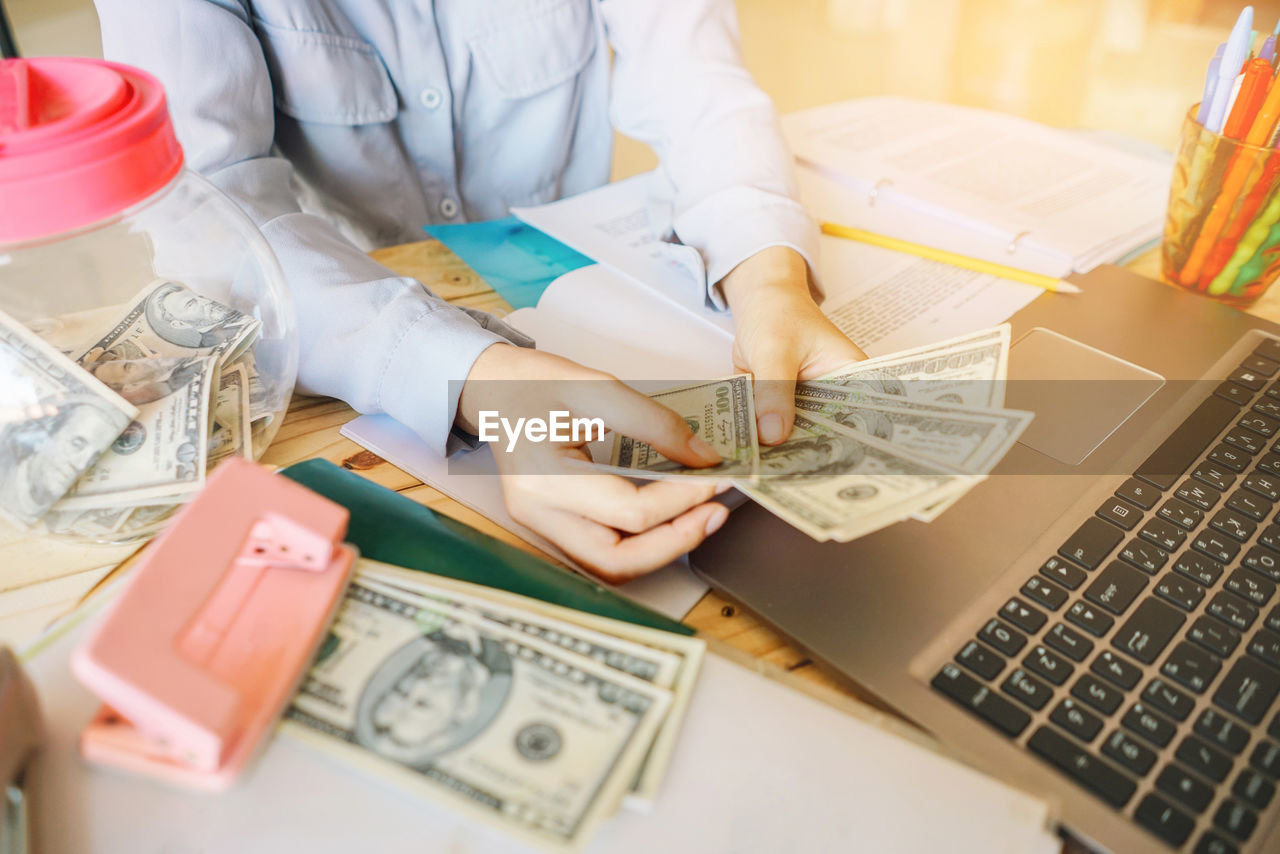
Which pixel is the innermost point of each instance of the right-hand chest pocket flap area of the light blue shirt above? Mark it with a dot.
(534, 47)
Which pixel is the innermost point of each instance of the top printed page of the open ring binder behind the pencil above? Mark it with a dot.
(1000, 173)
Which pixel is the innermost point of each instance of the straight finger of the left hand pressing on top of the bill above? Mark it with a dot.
(634, 415)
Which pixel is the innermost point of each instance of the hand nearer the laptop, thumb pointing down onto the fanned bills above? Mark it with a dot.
(783, 335)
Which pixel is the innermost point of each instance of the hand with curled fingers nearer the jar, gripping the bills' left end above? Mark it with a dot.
(607, 524)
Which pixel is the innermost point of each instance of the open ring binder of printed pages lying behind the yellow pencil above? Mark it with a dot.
(977, 182)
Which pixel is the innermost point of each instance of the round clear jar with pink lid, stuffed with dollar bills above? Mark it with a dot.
(147, 331)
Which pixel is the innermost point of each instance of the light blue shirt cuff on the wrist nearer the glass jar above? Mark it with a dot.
(423, 380)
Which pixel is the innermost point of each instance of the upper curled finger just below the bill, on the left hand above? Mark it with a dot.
(615, 501)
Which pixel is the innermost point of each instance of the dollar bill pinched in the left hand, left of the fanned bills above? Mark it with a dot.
(723, 413)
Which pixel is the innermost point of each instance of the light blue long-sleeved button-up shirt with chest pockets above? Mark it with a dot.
(342, 126)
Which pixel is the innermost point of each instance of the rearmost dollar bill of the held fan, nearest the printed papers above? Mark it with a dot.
(968, 371)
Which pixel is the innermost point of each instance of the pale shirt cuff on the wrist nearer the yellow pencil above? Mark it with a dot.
(737, 223)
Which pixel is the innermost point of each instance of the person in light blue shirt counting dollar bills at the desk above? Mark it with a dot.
(348, 125)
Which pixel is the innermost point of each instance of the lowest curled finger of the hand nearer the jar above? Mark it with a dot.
(616, 558)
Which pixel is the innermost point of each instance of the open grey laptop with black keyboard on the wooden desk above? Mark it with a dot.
(1099, 622)
